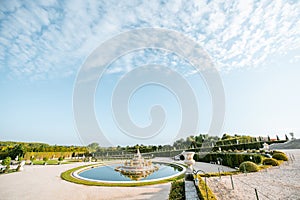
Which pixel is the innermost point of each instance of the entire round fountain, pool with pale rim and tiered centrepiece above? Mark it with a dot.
(132, 172)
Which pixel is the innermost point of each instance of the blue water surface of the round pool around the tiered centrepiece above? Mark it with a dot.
(108, 173)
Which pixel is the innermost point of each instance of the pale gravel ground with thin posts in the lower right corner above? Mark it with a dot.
(275, 183)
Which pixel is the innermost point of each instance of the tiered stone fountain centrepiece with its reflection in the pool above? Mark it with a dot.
(137, 167)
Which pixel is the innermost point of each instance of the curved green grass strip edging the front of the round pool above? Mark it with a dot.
(67, 175)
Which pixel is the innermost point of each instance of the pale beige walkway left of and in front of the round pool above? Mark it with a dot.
(44, 182)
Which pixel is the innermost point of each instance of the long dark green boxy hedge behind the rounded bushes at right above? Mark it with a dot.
(229, 159)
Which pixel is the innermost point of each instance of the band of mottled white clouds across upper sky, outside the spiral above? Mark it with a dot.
(39, 38)
